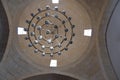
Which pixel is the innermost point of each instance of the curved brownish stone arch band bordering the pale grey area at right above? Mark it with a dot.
(104, 56)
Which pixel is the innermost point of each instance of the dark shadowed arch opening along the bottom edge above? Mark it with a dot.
(50, 77)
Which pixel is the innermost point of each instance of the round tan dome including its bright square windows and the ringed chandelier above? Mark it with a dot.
(50, 34)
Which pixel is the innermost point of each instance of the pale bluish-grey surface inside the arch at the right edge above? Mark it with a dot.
(112, 39)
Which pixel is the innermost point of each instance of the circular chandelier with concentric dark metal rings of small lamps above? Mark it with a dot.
(50, 31)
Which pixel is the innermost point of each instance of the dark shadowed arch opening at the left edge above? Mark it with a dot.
(4, 30)
